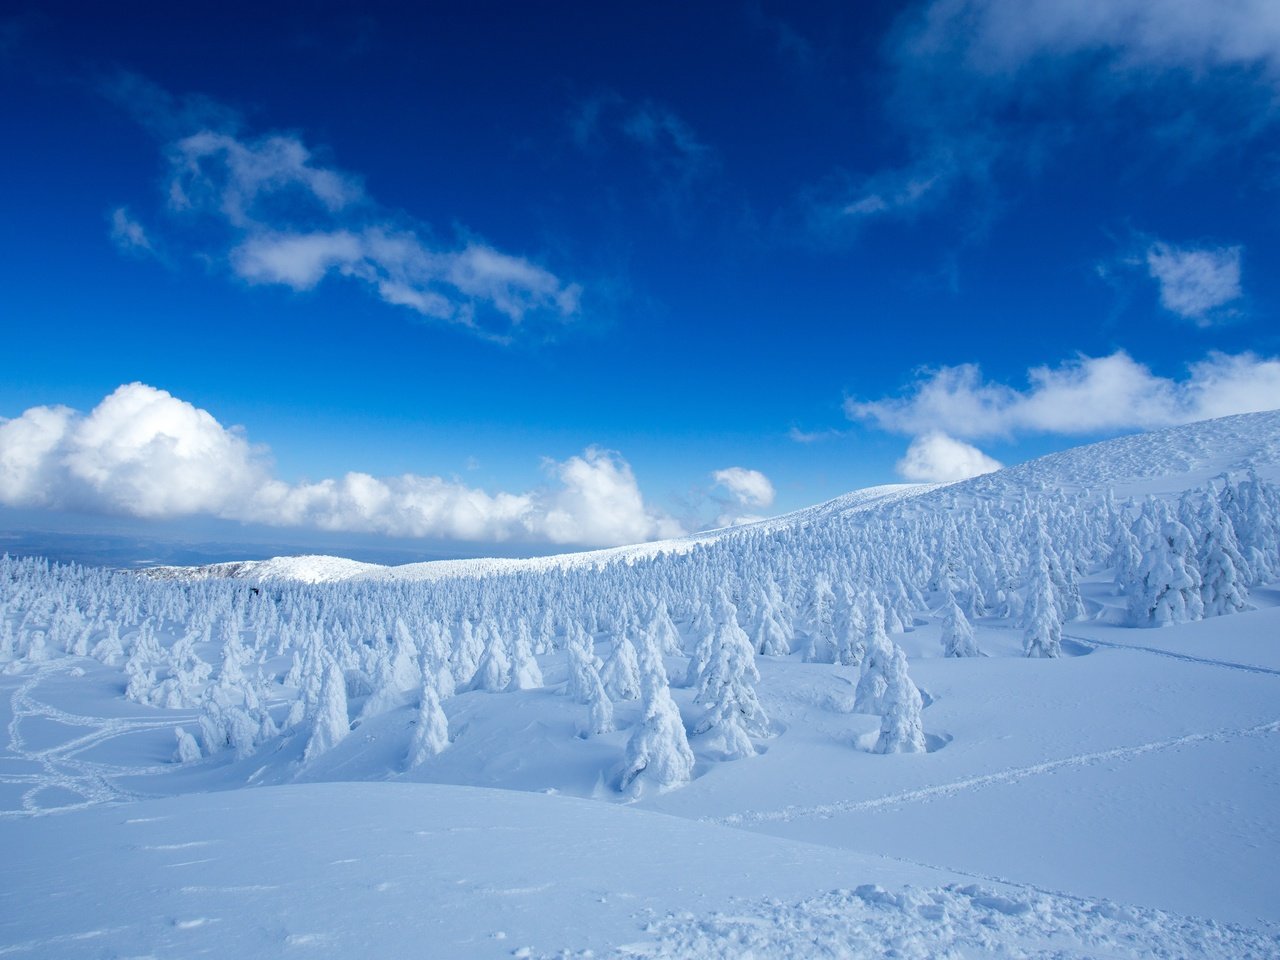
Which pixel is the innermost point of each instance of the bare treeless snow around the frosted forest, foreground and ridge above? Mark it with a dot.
(1117, 803)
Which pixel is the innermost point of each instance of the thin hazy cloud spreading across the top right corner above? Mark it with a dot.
(982, 88)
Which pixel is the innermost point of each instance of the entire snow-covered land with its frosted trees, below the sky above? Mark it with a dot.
(1032, 715)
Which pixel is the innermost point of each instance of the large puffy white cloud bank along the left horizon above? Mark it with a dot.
(144, 452)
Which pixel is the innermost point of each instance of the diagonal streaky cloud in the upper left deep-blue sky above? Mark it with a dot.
(276, 214)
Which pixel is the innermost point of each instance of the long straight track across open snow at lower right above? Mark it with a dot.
(1008, 776)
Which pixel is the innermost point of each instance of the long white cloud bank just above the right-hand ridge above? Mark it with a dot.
(1085, 396)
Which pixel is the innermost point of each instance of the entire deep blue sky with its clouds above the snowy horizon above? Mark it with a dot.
(516, 280)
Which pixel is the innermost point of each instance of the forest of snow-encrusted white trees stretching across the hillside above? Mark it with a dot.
(312, 661)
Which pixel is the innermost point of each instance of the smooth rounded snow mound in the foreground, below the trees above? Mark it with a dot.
(399, 871)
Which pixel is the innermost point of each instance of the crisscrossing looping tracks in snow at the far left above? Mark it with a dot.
(60, 766)
